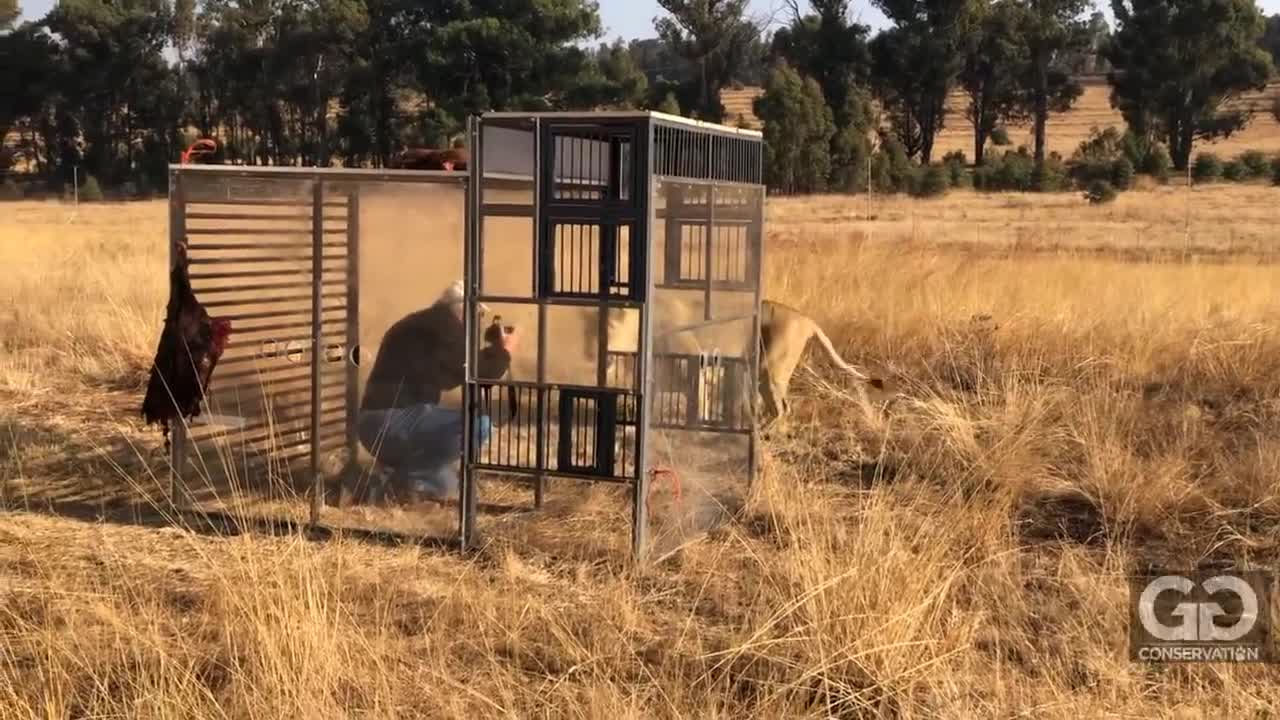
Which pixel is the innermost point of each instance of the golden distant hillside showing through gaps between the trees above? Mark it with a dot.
(1066, 131)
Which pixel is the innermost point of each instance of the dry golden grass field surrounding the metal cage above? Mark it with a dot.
(963, 554)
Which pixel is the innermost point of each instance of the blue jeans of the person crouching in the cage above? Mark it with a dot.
(420, 444)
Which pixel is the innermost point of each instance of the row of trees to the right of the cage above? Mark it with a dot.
(1177, 71)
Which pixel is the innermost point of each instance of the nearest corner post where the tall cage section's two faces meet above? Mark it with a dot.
(641, 489)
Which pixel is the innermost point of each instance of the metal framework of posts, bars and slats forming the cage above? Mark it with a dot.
(643, 152)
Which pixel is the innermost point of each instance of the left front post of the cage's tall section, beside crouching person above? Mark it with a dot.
(472, 259)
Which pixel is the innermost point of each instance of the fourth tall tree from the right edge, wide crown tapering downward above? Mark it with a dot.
(916, 65)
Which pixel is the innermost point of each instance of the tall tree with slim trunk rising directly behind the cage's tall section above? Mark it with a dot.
(716, 38)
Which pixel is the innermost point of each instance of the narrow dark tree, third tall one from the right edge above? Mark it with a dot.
(990, 75)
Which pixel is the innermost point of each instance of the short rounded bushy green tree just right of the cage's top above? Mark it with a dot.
(798, 130)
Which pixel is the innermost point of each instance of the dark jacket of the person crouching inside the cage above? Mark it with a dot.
(422, 357)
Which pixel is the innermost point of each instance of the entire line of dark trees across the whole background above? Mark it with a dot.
(117, 89)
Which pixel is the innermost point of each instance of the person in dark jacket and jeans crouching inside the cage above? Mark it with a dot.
(417, 443)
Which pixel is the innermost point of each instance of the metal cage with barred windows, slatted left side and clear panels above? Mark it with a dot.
(568, 220)
